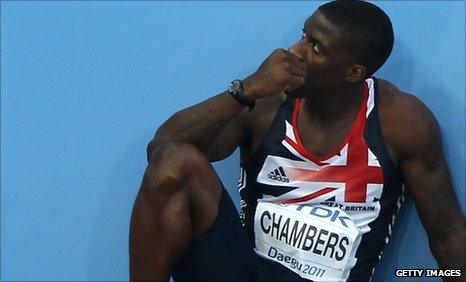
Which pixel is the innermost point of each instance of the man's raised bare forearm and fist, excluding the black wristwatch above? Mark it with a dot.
(215, 126)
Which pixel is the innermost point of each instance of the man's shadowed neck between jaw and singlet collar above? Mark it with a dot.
(333, 105)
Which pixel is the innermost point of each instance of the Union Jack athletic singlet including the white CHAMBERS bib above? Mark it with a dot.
(324, 218)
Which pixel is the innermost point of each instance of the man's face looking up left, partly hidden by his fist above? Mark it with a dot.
(322, 48)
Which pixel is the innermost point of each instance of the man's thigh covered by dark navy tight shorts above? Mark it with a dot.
(222, 253)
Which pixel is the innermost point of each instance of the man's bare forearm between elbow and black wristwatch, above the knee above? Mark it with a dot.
(200, 124)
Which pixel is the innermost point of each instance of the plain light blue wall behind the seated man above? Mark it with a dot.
(84, 85)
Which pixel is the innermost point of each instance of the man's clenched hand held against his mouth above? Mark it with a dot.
(281, 71)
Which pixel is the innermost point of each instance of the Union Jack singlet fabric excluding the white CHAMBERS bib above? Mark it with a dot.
(358, 177)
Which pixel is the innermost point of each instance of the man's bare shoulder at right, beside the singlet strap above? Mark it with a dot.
(407, 123)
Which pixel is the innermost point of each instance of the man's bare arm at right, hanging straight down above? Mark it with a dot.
(418, 143)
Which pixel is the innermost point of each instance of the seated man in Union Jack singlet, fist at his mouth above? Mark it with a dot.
(325, 149)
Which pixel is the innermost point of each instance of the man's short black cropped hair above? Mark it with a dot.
(366, 28)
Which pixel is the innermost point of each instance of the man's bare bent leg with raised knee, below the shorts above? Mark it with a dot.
(179, 198)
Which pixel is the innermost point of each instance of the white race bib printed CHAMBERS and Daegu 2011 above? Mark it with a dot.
(317, 242)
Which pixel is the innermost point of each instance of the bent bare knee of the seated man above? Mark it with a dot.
(171, 163)
